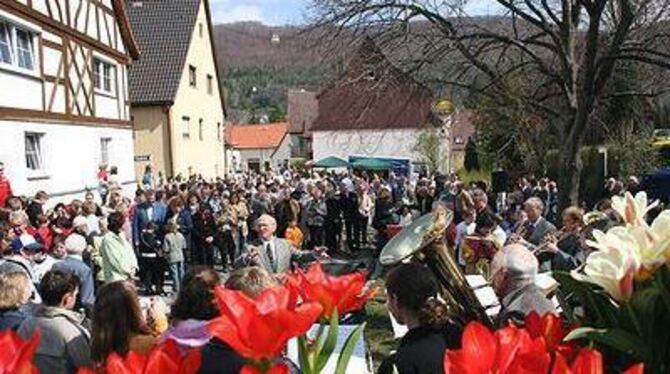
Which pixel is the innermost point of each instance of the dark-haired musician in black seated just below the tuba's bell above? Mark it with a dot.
(413, 301)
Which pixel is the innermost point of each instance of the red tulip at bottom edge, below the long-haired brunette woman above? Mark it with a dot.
(165, 359)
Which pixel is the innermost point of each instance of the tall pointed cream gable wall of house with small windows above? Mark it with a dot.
(193, 154)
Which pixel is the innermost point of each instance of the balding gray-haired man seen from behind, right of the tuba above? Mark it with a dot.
(513, 271)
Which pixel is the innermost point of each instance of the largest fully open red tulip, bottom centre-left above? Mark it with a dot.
(259, 328)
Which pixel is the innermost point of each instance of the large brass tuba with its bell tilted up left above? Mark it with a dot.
(424, 241)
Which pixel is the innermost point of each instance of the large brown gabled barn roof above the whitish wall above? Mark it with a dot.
(373, 94)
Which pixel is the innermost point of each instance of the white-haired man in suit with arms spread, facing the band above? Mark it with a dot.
(272, 253)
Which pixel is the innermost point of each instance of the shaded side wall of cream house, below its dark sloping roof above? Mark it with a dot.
(151, 139)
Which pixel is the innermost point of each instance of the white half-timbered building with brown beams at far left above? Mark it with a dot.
(64, 107)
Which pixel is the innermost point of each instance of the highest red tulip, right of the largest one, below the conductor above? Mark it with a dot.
(344, 294)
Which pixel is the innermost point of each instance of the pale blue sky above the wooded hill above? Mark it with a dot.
(282, 12)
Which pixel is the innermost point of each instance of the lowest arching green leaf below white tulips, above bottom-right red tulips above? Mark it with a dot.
(620, 340)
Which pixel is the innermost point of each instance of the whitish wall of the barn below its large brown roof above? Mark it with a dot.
(380, 143)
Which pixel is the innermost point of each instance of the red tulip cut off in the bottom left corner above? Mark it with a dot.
(16, 355)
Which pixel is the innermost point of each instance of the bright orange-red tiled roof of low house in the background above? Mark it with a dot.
(269, 135)
